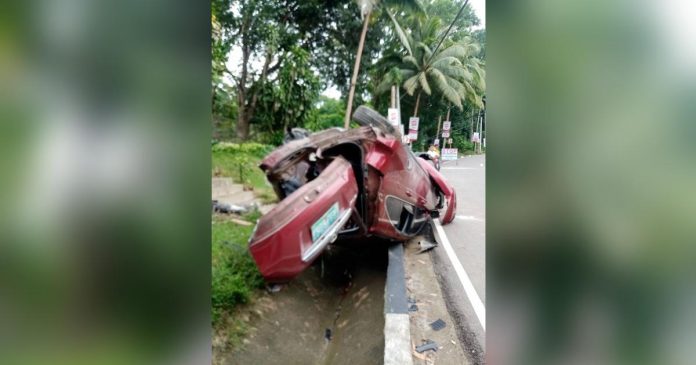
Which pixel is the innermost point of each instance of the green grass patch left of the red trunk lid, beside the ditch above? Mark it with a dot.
(234, 273)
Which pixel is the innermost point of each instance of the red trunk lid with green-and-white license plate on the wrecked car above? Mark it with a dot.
(292, 235)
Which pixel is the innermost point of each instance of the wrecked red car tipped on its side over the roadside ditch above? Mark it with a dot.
(338, 184)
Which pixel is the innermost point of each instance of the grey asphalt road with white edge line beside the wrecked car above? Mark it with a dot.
(467, 237)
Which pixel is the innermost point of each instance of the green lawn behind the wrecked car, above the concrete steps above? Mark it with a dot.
(240, 162)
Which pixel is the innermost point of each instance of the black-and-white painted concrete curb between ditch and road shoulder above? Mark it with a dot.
(397, 326)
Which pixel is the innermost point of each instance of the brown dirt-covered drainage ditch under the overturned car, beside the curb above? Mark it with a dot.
(331, 314)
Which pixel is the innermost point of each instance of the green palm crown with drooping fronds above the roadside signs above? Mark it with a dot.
(453, 71)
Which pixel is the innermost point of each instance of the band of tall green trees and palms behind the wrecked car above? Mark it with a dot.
(287, 52)
